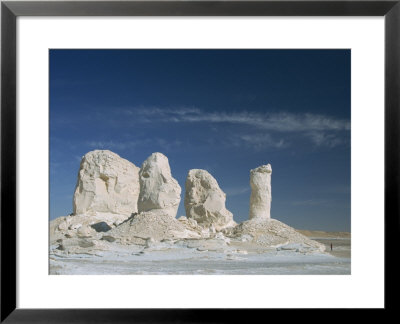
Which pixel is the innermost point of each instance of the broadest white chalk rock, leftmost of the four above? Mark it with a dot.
(106, 183)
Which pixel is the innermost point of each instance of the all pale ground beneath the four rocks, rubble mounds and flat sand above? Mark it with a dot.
(149, 243)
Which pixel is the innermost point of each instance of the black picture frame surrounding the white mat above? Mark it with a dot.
(10, 10)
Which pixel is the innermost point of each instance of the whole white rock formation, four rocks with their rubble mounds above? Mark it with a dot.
(117, 204)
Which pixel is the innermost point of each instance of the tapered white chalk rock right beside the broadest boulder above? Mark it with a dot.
(158, 189)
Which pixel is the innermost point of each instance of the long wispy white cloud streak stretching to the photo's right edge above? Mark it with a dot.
(256, 130)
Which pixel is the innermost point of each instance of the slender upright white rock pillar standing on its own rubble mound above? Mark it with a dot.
(260, 198)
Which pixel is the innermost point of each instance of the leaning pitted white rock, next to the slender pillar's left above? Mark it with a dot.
(205, 201)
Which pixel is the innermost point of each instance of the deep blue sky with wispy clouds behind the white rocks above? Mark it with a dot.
(226, 111)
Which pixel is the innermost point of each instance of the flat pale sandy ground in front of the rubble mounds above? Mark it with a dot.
(190, 257)
